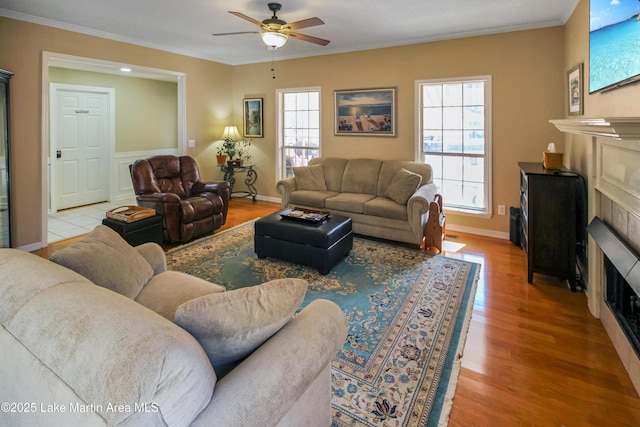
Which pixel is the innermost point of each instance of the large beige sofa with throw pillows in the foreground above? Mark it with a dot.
(138, 345)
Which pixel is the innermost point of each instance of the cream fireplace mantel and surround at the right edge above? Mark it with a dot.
(613, 183)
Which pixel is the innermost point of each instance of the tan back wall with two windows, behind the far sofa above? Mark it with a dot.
(527, 70)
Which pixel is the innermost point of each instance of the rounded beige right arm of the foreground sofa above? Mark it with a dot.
(266, 385)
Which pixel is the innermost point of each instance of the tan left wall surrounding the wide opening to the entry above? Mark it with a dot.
(21, 45)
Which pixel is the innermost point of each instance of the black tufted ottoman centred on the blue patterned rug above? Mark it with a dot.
(320, 245)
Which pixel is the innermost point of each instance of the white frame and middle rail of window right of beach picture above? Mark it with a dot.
(487, 212)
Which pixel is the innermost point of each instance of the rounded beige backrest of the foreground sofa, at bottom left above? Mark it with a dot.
(103, 346)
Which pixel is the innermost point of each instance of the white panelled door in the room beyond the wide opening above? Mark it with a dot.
(80, 137)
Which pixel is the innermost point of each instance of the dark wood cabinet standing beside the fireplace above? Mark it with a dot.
(549, 202)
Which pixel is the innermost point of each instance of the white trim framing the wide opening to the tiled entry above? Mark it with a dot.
(102, 66)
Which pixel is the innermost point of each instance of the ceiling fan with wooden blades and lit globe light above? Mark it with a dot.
(275, 32)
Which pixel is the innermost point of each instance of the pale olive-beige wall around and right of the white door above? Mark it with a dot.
(146, 110)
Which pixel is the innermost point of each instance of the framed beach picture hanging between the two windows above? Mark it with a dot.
(370, 112)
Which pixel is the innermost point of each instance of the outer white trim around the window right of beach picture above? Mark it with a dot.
(488, 172)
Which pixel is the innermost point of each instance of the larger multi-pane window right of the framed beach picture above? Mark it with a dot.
(455, 137)
